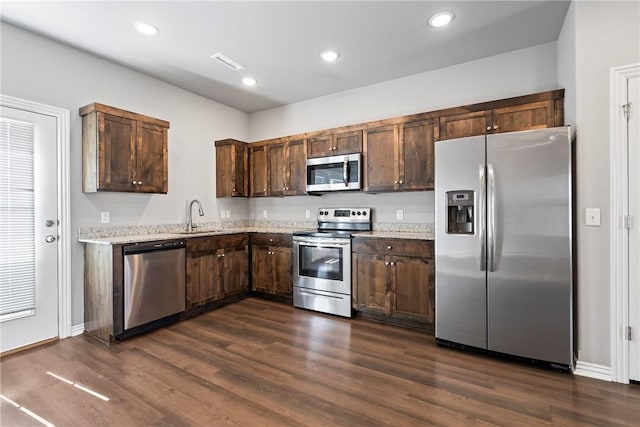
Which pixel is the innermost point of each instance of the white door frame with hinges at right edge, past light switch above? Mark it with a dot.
(619, 236)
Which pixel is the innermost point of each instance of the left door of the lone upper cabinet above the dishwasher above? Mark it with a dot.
(116, 153)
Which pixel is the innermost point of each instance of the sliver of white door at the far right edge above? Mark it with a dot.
(633, 93)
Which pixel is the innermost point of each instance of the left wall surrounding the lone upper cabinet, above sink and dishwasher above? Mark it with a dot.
(38, 69)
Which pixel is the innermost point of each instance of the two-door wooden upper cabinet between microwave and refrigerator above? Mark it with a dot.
(399, 157)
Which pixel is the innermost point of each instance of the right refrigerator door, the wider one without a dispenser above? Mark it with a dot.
(529, 292)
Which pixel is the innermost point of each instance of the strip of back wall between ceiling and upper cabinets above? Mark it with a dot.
(515, 73)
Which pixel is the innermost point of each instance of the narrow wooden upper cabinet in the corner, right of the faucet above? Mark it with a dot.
(232, 168)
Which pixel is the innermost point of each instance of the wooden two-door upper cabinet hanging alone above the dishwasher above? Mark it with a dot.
(123, 151)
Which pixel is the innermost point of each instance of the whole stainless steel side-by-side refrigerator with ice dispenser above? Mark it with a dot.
(504, 243)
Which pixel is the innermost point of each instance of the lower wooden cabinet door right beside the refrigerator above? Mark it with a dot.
(412, 284)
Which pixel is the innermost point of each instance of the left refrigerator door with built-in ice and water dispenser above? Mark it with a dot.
(460, 277)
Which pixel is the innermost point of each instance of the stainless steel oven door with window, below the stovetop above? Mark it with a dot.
(322, 263)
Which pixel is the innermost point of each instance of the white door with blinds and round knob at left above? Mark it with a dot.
(29, 229)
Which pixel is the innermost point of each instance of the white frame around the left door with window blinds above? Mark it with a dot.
(62, 117)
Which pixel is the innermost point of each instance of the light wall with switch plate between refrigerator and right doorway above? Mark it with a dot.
(602, 35)
